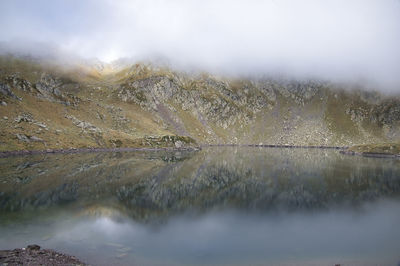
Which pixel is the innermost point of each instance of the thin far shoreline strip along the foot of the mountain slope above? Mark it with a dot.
(5, 154)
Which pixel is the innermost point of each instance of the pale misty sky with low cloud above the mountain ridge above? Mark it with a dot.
(335, 39)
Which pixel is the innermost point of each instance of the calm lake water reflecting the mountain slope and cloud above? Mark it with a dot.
(218, 206)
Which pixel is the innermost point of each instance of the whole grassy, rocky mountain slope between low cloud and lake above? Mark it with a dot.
(45, 105)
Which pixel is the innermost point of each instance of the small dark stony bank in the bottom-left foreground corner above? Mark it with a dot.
(34, 255)
